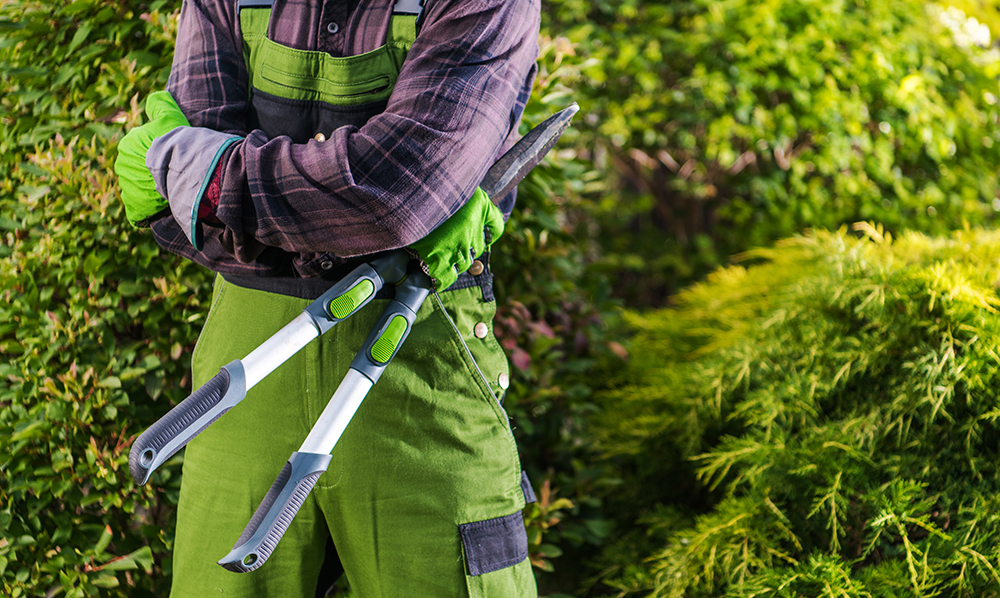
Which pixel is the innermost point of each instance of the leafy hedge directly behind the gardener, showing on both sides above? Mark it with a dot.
(97, 324)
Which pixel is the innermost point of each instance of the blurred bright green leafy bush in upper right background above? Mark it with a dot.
(723, 126)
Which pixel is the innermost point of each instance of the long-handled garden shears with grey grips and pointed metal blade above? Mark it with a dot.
(224, 391)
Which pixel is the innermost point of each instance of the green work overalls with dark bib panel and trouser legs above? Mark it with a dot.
(423, 494)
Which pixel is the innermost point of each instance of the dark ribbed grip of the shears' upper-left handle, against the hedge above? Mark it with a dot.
(173, 431)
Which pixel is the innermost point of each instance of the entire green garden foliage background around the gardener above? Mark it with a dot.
(817, 420)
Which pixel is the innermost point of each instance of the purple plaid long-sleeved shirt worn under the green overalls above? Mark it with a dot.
(458, 99)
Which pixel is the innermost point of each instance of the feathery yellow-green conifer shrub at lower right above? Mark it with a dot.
(821, 422)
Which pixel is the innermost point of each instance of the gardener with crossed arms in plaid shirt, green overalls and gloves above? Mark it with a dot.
(304, 137)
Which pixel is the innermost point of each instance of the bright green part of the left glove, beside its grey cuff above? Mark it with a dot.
(138, 189)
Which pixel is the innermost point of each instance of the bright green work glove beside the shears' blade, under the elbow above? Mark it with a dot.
(451, 247)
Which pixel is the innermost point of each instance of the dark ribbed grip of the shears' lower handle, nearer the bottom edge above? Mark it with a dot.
(276, 512)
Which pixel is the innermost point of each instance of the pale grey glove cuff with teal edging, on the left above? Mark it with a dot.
(183, 164)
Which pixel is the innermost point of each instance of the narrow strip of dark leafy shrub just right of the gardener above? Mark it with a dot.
(551, 321)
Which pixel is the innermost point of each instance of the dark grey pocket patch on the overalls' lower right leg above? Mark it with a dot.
(494, 544)
